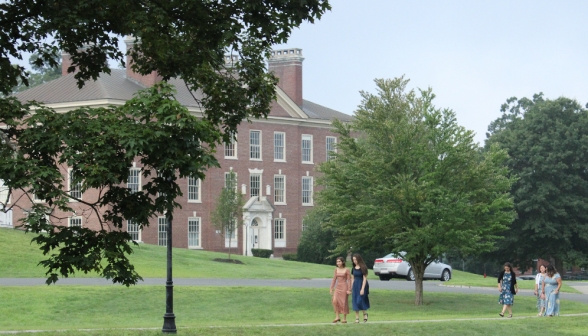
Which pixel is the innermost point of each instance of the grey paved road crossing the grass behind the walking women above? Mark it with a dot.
(428, 286)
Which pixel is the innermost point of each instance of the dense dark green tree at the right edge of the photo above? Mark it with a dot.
(547, 144)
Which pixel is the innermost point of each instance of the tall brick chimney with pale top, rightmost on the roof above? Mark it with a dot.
(286, 64)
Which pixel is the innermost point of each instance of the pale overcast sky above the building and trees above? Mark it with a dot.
(474, 54)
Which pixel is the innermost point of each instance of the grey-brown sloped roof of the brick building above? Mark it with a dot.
(118, 86)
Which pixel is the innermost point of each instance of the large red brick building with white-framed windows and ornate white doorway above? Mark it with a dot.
(274, 160)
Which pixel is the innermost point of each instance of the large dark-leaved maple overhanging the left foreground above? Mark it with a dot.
(185, 39)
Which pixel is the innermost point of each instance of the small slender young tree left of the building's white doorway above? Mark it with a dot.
(227, 216)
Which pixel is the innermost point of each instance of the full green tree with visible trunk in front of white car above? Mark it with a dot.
(413, 180)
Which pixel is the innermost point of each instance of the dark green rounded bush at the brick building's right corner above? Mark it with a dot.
(317, 242)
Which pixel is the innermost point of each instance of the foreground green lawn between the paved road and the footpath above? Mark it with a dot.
(81, 307)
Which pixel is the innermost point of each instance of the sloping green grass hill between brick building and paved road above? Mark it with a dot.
(19, 259)
